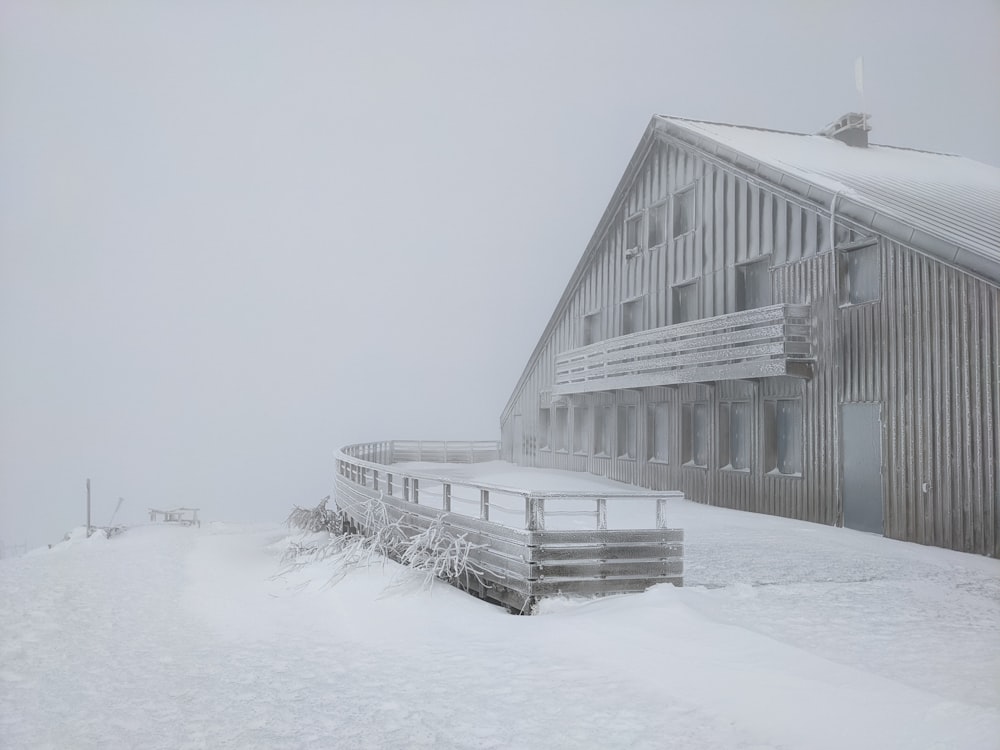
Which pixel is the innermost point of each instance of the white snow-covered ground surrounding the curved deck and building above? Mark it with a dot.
(787, 635)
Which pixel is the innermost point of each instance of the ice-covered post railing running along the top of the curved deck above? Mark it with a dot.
(371, 465)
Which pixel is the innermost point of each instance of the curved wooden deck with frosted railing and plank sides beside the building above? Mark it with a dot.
(515, 565)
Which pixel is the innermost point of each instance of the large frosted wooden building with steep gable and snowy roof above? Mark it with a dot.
(801, 325)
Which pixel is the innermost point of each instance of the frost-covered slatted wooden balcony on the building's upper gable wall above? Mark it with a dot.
(764, 342)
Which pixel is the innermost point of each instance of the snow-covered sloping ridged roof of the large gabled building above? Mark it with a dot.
(908, 194)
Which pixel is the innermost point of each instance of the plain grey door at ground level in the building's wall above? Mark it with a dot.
(861, 457)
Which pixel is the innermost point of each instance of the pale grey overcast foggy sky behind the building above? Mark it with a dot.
(236, 235)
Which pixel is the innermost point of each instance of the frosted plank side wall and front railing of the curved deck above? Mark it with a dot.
(510, 565)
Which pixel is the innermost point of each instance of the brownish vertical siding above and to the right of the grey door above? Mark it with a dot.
(928, 350)
